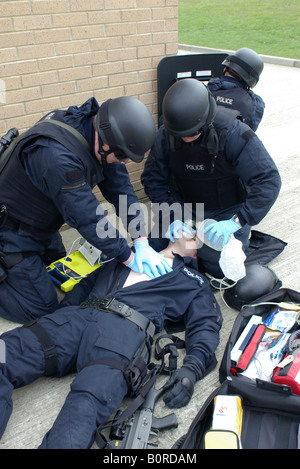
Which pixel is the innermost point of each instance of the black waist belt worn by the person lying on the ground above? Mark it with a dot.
(112, 305)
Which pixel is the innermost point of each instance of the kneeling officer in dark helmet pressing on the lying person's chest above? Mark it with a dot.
(46, 179)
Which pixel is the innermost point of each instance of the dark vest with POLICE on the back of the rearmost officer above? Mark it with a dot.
(238, 99)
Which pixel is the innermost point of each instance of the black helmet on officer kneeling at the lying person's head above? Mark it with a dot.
(187, 107)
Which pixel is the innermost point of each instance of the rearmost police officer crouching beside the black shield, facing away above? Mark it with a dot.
(234, 88)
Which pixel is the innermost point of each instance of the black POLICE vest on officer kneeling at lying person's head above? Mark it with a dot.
(203, 176)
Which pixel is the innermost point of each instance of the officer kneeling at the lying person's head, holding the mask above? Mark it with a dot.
(204, 154)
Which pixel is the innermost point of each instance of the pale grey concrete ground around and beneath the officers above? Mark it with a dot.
(36, 406)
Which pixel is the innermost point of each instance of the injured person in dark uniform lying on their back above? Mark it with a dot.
(93, 336)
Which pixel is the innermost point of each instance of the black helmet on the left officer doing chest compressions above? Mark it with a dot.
(125, 123)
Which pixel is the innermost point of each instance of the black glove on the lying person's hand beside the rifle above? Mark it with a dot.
(184, 382)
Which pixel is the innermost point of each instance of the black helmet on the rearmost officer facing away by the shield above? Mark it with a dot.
(247, 64)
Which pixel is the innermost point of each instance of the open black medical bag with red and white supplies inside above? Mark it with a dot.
(270, 415)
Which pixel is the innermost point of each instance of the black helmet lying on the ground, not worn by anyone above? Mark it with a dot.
(259, 281)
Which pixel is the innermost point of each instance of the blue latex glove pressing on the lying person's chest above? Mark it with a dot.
(147, 260)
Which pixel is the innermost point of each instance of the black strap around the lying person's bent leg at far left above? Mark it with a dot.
(47, 344)
